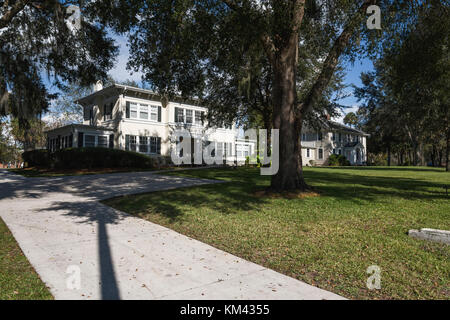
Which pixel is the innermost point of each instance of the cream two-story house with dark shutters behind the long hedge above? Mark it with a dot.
(135, 119)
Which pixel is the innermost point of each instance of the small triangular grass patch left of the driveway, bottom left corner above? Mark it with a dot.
(18, 280)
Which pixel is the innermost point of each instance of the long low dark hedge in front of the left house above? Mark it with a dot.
(86, 158)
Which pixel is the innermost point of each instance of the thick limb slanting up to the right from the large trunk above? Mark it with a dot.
(332, 60)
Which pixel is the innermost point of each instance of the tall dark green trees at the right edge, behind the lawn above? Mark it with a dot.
(405, 102)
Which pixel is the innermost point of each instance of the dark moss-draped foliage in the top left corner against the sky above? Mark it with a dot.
(38, 39)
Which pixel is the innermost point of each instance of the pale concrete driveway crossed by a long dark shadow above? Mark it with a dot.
(64, 231)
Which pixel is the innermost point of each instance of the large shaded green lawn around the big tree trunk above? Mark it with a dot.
(361, 218)
